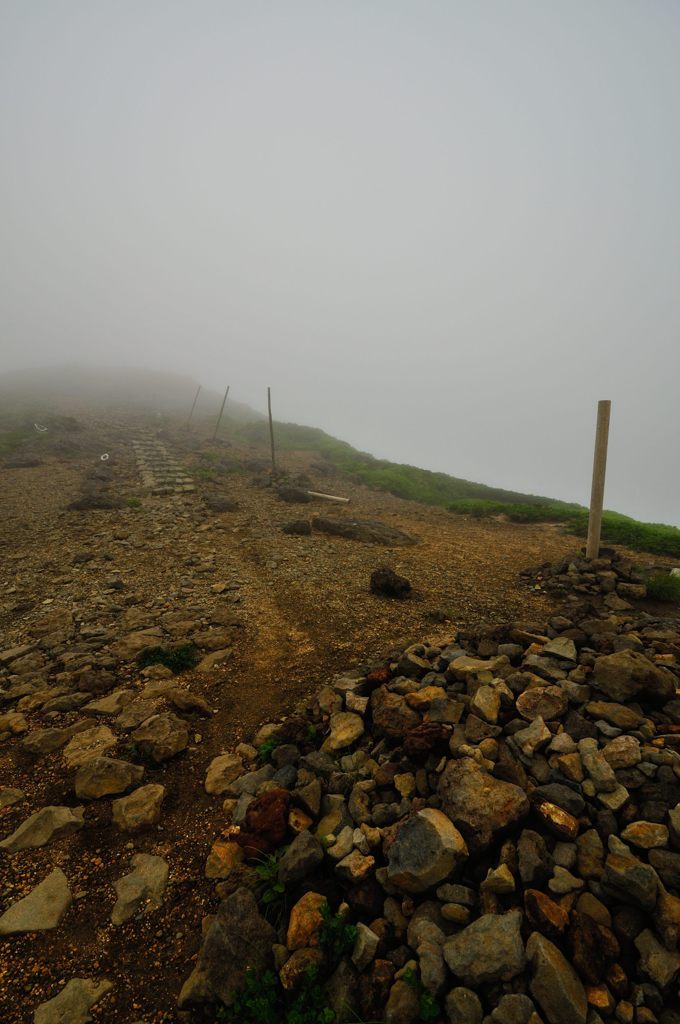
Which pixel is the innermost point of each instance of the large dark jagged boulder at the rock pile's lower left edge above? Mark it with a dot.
(238, 938)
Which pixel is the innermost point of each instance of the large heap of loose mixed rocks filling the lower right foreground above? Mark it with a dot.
(495, 822)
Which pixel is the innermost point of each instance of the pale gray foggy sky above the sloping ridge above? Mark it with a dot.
(441, 231)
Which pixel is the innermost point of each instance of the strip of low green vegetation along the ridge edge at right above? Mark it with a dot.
(463, 496)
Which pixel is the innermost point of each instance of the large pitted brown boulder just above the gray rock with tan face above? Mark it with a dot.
(480, 805)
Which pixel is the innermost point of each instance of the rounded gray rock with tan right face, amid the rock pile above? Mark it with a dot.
(427, 850)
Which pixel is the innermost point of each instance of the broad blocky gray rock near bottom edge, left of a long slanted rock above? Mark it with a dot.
(490, 950)
